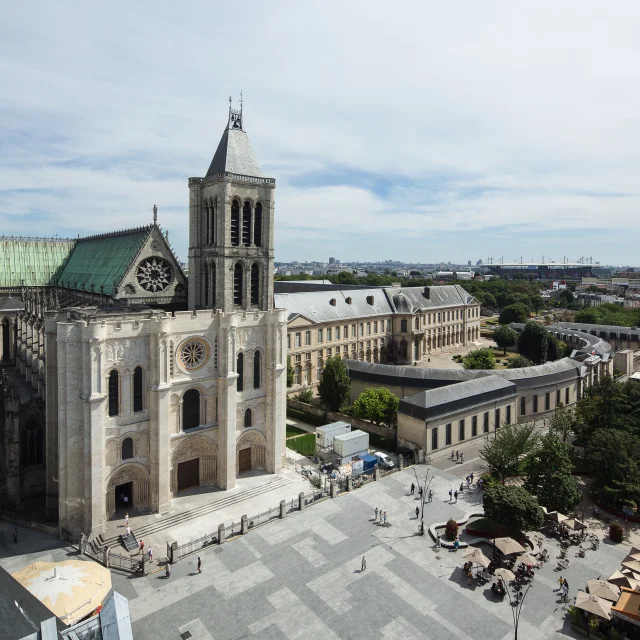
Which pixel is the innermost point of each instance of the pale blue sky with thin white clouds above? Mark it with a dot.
(421, 131)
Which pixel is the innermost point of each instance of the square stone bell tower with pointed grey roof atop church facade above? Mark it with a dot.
(231, 214)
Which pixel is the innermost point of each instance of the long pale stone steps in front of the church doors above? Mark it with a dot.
(180, 517)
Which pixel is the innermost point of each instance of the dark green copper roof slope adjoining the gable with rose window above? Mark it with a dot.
(103, 260)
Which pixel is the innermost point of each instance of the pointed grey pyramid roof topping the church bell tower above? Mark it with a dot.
(234, 153)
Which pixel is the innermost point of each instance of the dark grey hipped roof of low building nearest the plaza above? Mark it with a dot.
(437, 403)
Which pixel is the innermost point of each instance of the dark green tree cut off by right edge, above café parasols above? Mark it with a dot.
(614, 459)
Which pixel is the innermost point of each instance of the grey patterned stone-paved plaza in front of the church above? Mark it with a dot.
(301, 577)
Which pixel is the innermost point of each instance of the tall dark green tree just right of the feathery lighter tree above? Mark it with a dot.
(549, 475)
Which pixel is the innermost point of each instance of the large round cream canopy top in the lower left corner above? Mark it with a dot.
(71, 589)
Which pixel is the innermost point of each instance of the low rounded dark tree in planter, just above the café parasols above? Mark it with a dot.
(513, 507)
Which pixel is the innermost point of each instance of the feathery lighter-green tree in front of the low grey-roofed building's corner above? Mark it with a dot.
(507, 447)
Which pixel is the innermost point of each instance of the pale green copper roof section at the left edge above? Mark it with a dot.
(33, 262)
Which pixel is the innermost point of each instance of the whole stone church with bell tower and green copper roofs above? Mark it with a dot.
(129, 385)
